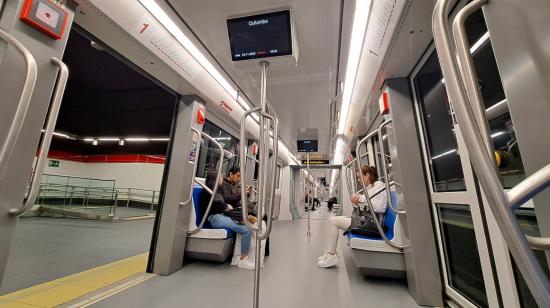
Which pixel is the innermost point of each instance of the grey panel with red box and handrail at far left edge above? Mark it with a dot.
(29, 66)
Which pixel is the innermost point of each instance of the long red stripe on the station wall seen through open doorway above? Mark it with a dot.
(119, 158)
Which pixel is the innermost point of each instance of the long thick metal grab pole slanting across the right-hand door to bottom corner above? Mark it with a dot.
(497, 198)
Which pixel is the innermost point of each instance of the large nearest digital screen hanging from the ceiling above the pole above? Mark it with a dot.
(260, 36)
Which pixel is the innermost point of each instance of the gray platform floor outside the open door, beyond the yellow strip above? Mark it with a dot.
(45, 249)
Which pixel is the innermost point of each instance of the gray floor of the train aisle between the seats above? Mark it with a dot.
(290, 278)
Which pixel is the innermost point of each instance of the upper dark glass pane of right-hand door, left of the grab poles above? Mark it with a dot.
(444, 159)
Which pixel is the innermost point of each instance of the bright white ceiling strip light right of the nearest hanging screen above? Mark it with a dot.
(358, 30)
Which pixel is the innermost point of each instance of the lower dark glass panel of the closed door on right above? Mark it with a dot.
(461, 252)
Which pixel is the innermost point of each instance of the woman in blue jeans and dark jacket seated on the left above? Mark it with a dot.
(218, 220)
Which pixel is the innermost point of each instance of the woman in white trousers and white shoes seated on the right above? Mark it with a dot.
(336, 223)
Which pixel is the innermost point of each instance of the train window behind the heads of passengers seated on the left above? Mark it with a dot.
(209, 154)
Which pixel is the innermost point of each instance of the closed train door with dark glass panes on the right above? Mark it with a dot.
(478, 269)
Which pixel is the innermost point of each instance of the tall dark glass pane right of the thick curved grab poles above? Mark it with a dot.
(507, 154)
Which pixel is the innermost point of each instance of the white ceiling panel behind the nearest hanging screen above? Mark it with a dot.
(300, 94)
